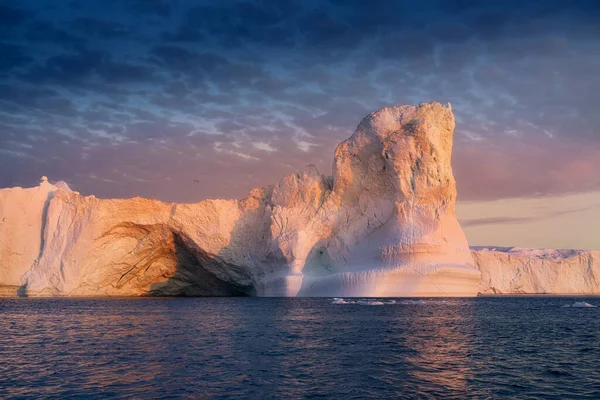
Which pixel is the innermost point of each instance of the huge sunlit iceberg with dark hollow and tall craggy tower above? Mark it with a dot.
(382, 225)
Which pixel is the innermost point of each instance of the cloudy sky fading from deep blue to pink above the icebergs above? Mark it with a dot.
(184, 100)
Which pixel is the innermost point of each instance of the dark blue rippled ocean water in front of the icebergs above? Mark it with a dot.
(263, 348)
